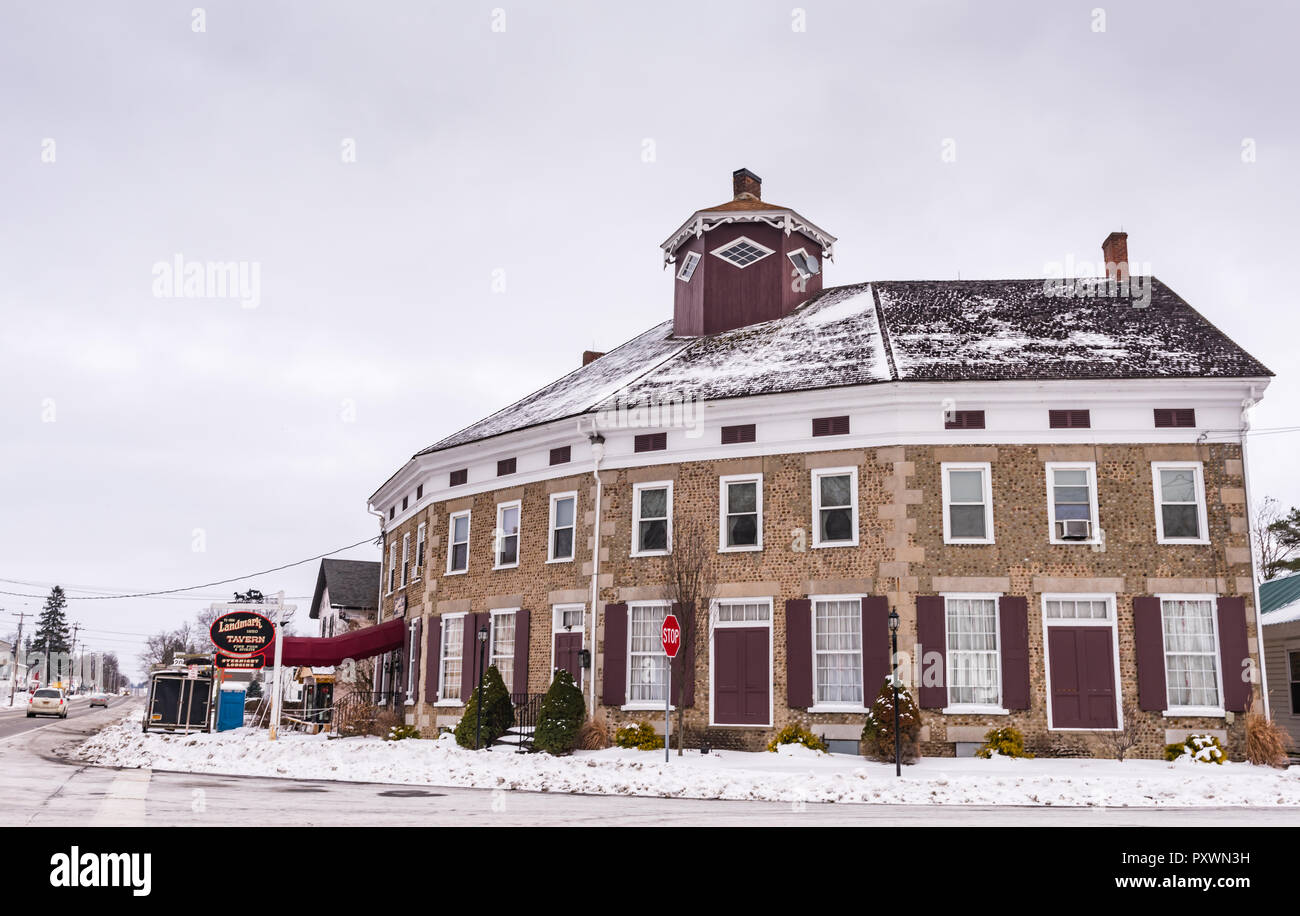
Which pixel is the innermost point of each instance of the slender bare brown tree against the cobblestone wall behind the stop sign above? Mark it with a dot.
(690, 580)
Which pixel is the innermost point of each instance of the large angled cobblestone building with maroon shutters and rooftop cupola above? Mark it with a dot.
(1045, 480)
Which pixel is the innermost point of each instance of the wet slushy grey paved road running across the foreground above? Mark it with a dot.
(41, 787)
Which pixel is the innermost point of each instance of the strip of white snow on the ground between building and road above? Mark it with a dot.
(796, 776)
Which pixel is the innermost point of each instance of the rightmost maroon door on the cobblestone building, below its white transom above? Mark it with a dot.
(1084, 678)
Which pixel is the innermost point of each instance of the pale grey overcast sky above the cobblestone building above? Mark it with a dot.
(558, 144)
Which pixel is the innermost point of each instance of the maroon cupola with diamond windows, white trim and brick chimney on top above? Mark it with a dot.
(743, 262)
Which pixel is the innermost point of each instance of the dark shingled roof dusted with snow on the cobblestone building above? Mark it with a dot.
(898, 331)
